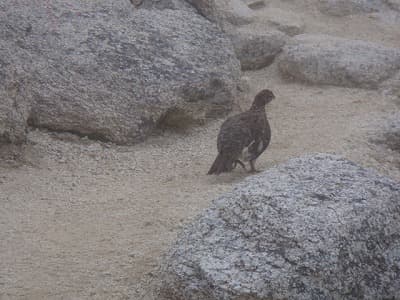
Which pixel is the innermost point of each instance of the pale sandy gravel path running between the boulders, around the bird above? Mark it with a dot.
(86, 220)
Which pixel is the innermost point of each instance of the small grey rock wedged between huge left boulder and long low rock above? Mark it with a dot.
(256, 50)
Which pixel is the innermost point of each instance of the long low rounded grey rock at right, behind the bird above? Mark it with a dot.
(330, 60)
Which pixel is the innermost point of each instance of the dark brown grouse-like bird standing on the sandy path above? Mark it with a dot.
(243, 136)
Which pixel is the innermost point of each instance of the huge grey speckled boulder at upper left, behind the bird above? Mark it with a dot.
(111, 72)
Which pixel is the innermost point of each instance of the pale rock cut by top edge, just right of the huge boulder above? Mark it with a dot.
(222, 12)
